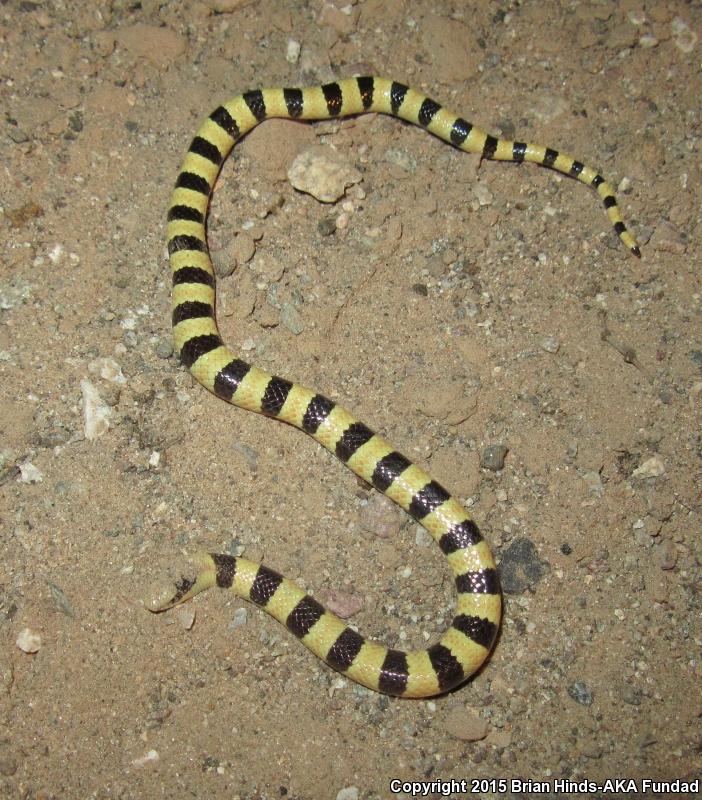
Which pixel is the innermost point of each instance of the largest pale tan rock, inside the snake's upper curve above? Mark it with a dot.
(323, 173)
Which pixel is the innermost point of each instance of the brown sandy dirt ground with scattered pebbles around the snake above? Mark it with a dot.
(454, 306)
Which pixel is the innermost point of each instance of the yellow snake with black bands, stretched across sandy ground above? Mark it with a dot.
(468, 640)
